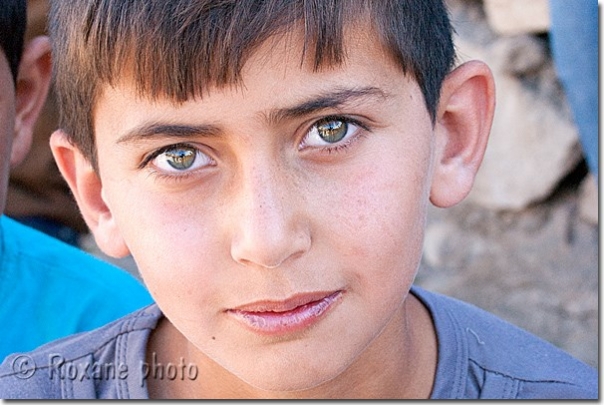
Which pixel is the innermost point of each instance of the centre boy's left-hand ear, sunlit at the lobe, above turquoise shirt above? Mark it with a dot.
(87, 188)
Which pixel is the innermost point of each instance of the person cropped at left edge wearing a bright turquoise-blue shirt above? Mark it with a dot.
(48, 289)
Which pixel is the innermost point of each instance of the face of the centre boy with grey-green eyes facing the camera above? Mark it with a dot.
(277, 223)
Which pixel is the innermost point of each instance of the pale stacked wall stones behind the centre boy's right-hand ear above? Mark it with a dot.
(534, 142)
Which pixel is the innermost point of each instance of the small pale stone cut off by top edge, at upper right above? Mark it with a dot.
(511, 17)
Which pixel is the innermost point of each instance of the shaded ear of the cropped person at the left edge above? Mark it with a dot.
(33, 82)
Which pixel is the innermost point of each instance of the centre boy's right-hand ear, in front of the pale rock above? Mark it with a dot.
(462, 127)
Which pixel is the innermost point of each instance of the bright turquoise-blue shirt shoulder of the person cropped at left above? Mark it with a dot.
(60, 289)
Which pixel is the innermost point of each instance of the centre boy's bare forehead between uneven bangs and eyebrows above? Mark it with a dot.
(286, 57)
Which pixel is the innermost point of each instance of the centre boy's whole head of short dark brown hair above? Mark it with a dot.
(180, 48)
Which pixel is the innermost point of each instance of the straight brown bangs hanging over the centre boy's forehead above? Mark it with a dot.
(203, 45)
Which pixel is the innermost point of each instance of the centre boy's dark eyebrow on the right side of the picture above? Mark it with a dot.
(332, 99)
